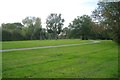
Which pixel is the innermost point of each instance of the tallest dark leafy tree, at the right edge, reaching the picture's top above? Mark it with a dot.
(109, 13)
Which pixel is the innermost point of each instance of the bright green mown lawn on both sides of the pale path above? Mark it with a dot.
(86, 61)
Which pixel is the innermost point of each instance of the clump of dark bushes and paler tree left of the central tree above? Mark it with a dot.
(30, 29)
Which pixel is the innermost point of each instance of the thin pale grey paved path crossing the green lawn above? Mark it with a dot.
(20, 49)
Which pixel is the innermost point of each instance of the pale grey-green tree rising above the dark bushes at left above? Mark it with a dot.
(34, 27)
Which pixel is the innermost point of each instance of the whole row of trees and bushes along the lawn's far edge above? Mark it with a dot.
(102, 24)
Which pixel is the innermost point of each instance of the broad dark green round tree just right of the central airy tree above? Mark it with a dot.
(81, 27)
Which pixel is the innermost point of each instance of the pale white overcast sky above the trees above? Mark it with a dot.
(16, 10)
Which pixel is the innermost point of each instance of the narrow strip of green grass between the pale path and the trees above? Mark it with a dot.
(37, 43)
